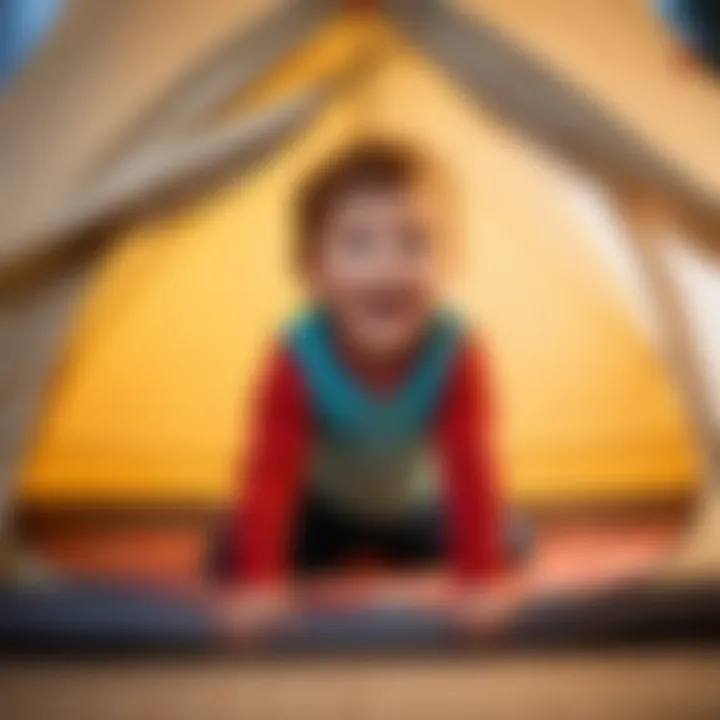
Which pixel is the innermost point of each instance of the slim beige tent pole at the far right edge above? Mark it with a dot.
(645, 222)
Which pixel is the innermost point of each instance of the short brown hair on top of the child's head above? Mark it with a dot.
(370, 165)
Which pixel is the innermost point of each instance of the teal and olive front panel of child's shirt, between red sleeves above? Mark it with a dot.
(372, 456)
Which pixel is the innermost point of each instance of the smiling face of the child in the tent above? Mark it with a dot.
(378, 267)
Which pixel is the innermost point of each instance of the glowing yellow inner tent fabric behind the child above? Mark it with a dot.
(150, 405)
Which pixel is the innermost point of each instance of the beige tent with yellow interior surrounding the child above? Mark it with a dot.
(161, 188)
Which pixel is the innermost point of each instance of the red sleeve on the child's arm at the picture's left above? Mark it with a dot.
(273, 474)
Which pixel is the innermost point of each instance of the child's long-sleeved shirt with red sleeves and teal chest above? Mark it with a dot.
(320, 426)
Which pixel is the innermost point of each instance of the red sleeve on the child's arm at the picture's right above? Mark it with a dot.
(466, 451)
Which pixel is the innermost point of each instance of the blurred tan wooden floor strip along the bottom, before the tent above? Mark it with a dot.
(670, 686)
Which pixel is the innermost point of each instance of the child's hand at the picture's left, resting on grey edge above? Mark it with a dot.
(252, 612)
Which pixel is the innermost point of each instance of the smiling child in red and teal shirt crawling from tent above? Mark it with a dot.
(372, 435)
